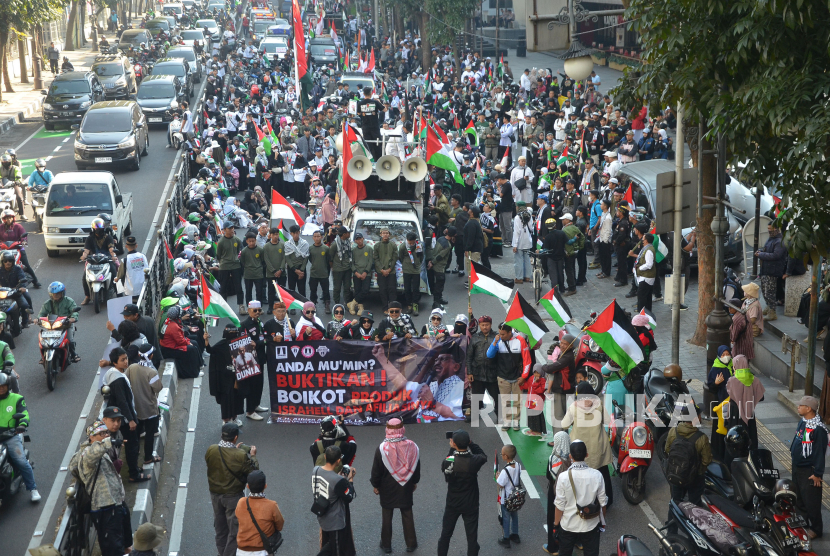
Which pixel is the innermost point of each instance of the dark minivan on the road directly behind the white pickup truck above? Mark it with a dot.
(113, 132)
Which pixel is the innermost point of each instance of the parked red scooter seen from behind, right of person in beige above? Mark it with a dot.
(634, 446)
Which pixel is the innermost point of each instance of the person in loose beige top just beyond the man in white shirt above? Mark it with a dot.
(586, 416)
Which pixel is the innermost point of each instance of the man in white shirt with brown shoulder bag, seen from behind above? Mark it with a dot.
(583, 486)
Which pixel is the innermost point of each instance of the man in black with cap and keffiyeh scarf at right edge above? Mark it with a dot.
(808, 450)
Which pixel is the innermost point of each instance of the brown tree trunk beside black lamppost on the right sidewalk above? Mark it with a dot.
(705, 248)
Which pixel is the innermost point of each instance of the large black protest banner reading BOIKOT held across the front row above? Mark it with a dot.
(418, 381)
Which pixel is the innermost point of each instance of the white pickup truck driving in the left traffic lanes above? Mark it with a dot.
(74, 200)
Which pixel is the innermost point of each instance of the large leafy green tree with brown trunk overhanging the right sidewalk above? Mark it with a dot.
(755, 72)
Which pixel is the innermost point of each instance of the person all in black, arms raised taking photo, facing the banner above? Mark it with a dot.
(461, 467)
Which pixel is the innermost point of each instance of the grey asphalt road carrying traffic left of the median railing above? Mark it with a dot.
(54, 415)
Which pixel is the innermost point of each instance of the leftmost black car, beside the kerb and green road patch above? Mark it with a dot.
(69, 97)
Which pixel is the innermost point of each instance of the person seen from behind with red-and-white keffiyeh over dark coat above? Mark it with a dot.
(396, 471)
